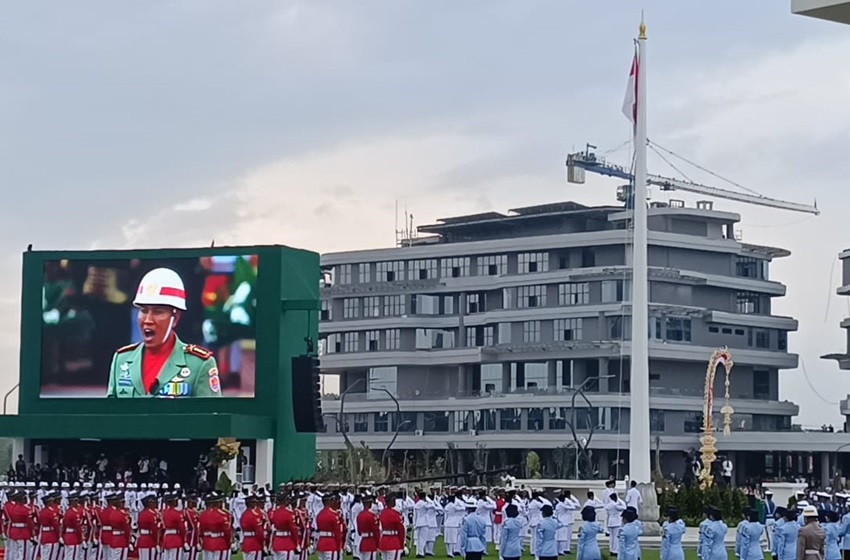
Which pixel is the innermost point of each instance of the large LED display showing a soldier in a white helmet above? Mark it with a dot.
(149, 328)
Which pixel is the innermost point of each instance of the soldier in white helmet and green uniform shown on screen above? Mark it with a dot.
(162, 365)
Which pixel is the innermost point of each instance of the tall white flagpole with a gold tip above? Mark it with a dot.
(639, 436)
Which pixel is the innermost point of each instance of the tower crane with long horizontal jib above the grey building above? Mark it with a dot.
(579, 162)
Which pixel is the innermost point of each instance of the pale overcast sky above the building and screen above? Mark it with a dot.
(170, 123)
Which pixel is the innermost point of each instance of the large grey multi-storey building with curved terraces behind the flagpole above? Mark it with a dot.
(484, 327)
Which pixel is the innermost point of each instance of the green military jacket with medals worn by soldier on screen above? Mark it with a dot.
(190, 371)
